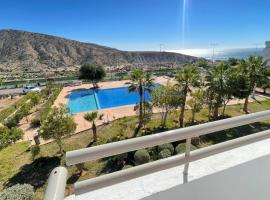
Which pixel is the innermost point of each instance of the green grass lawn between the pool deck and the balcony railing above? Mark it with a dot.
(17, 165)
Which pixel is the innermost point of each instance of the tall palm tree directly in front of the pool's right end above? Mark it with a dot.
(140, 82)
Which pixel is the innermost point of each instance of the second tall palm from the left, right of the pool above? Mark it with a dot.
(187, 78)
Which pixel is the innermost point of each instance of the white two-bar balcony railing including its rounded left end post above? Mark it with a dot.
(57, 179)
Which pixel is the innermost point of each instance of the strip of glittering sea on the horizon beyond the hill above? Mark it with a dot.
(222, 54)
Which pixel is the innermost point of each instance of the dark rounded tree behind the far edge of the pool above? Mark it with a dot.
(93, 73)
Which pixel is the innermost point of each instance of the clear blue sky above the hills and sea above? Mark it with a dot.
(144, 24)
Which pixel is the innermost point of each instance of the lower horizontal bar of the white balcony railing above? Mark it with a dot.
(174, 161)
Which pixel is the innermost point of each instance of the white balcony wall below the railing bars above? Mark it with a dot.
(229, 172)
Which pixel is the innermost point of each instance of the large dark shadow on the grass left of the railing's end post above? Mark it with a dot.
(35, 173)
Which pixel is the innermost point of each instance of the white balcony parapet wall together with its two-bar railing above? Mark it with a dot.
(210, 169)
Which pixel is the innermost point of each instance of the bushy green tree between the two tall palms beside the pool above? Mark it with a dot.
(165, 98)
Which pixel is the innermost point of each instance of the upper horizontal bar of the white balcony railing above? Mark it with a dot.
(106, 150)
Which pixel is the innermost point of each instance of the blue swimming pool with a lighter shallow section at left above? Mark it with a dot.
(89, 100)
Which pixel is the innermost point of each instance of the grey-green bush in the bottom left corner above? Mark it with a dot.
(18, 192)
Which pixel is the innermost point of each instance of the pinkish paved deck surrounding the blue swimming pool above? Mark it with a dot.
(110, 114)
